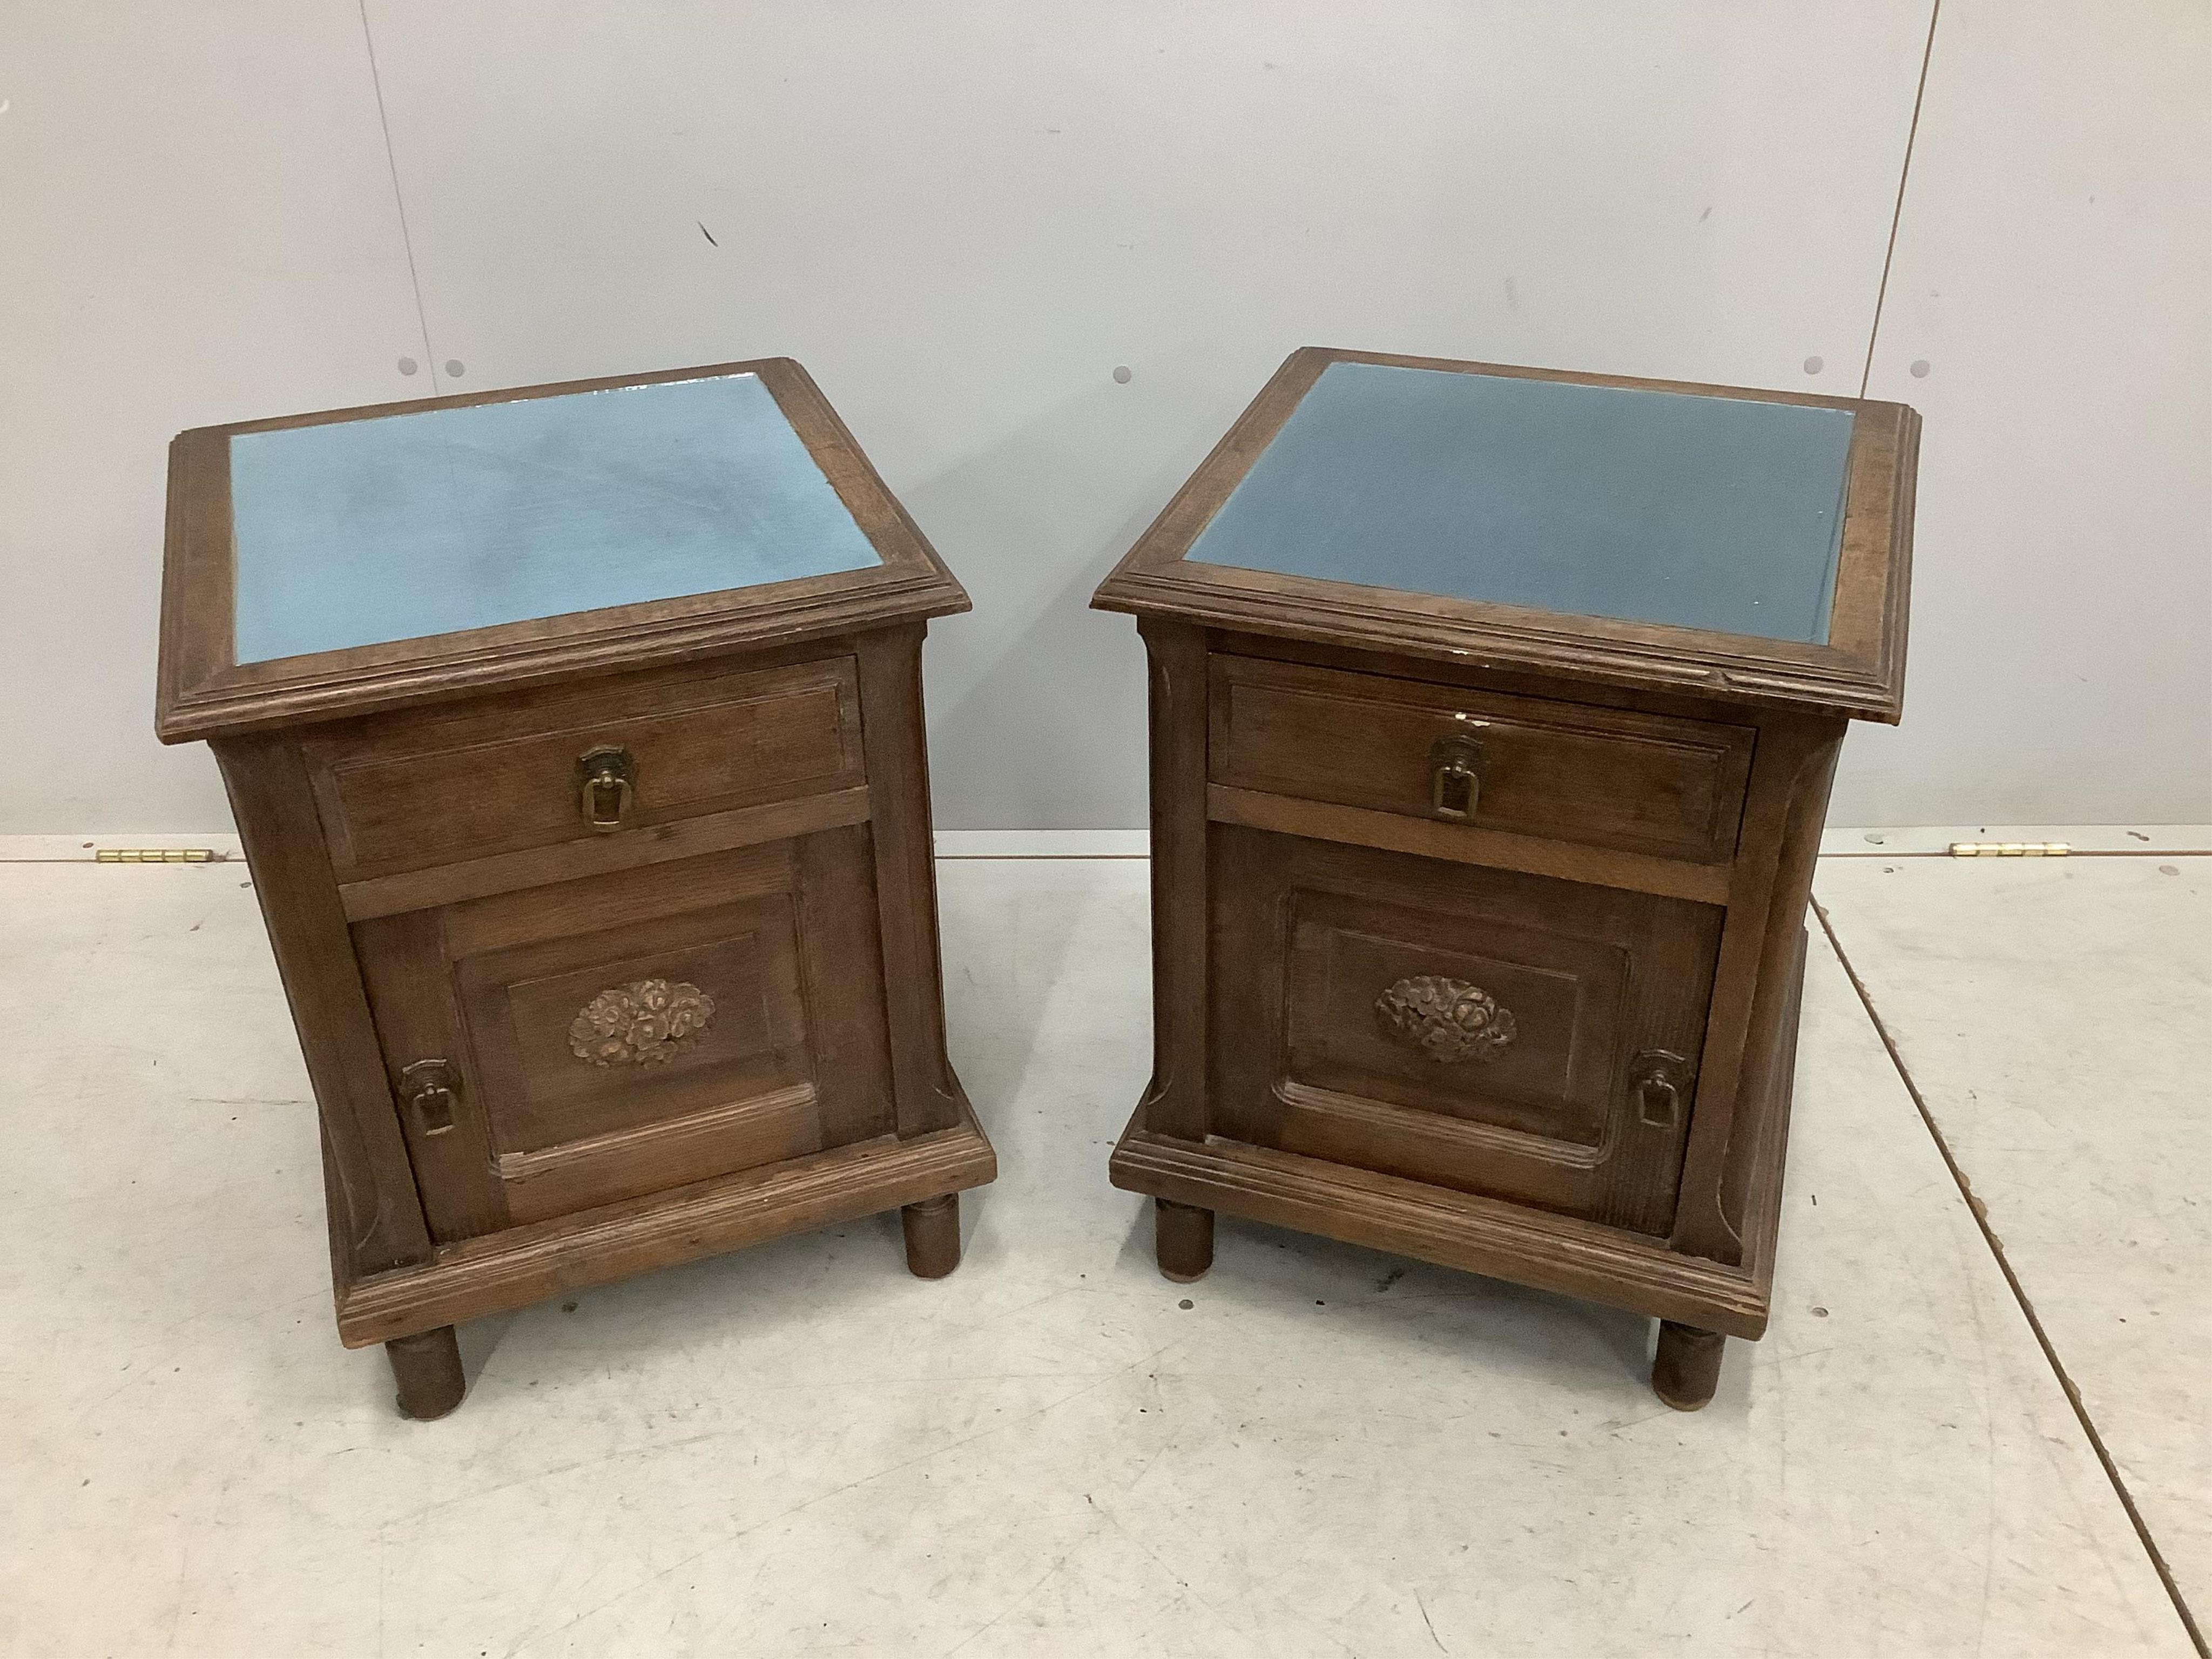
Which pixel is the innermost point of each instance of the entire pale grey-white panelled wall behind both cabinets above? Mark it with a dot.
(963, 216)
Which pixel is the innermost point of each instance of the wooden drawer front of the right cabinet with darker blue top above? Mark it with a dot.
(1525, 766)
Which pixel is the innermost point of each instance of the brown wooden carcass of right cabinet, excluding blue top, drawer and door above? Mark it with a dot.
(1711, 1273)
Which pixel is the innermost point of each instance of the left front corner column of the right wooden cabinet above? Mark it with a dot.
(1176, 1103)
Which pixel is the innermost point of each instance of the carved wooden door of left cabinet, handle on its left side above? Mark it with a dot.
(596, 1041)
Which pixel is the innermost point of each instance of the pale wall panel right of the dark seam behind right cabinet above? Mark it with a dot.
(2054, 280)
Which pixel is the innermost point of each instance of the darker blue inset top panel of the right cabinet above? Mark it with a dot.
(1642, 505)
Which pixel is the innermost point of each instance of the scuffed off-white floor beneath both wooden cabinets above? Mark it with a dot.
(1326, 1452)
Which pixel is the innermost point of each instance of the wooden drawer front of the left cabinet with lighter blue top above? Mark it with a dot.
(448, 784)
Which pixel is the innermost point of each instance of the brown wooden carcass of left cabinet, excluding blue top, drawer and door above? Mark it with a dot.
(395, 1282)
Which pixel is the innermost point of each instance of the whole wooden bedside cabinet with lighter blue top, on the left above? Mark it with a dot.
(576, 744)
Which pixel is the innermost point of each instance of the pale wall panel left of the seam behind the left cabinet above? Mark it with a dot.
(196, 225)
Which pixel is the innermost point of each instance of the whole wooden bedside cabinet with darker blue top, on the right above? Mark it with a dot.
(1494, 718)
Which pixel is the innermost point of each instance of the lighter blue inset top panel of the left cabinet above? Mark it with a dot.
(395, 528)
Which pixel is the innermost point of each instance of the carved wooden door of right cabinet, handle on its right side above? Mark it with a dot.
(1479, 1030)
